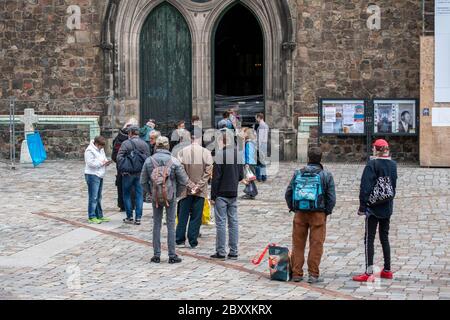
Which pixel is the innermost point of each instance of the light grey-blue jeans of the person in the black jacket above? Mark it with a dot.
(225, 210)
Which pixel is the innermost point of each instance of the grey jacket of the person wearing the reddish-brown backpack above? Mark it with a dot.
(178, 175)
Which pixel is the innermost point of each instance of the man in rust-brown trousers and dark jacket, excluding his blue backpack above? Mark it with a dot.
(313, 223)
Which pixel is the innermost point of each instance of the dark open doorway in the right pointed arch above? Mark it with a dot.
(238, 65)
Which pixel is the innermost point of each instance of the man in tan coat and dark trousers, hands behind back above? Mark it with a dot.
(198, 164)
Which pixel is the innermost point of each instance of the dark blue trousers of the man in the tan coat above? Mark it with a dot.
(190, 209)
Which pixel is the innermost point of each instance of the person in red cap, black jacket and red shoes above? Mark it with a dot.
(377, 192)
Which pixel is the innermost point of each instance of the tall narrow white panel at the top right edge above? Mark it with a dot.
(442, 51)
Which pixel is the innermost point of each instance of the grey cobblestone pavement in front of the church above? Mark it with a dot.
(47, 251)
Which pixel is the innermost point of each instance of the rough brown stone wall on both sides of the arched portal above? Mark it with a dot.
(336, 55)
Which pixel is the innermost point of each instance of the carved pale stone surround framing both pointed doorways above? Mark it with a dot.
(277, 18)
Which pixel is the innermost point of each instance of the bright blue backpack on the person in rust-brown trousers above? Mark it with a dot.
(308, 191)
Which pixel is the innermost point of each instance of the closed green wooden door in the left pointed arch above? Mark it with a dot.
(166, 68)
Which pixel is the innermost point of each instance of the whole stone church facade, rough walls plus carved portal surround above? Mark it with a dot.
(311, 49)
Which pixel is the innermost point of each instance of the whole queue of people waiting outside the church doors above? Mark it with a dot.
(177, 182)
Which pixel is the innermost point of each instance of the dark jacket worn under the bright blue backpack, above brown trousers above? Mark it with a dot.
(327, 186)
